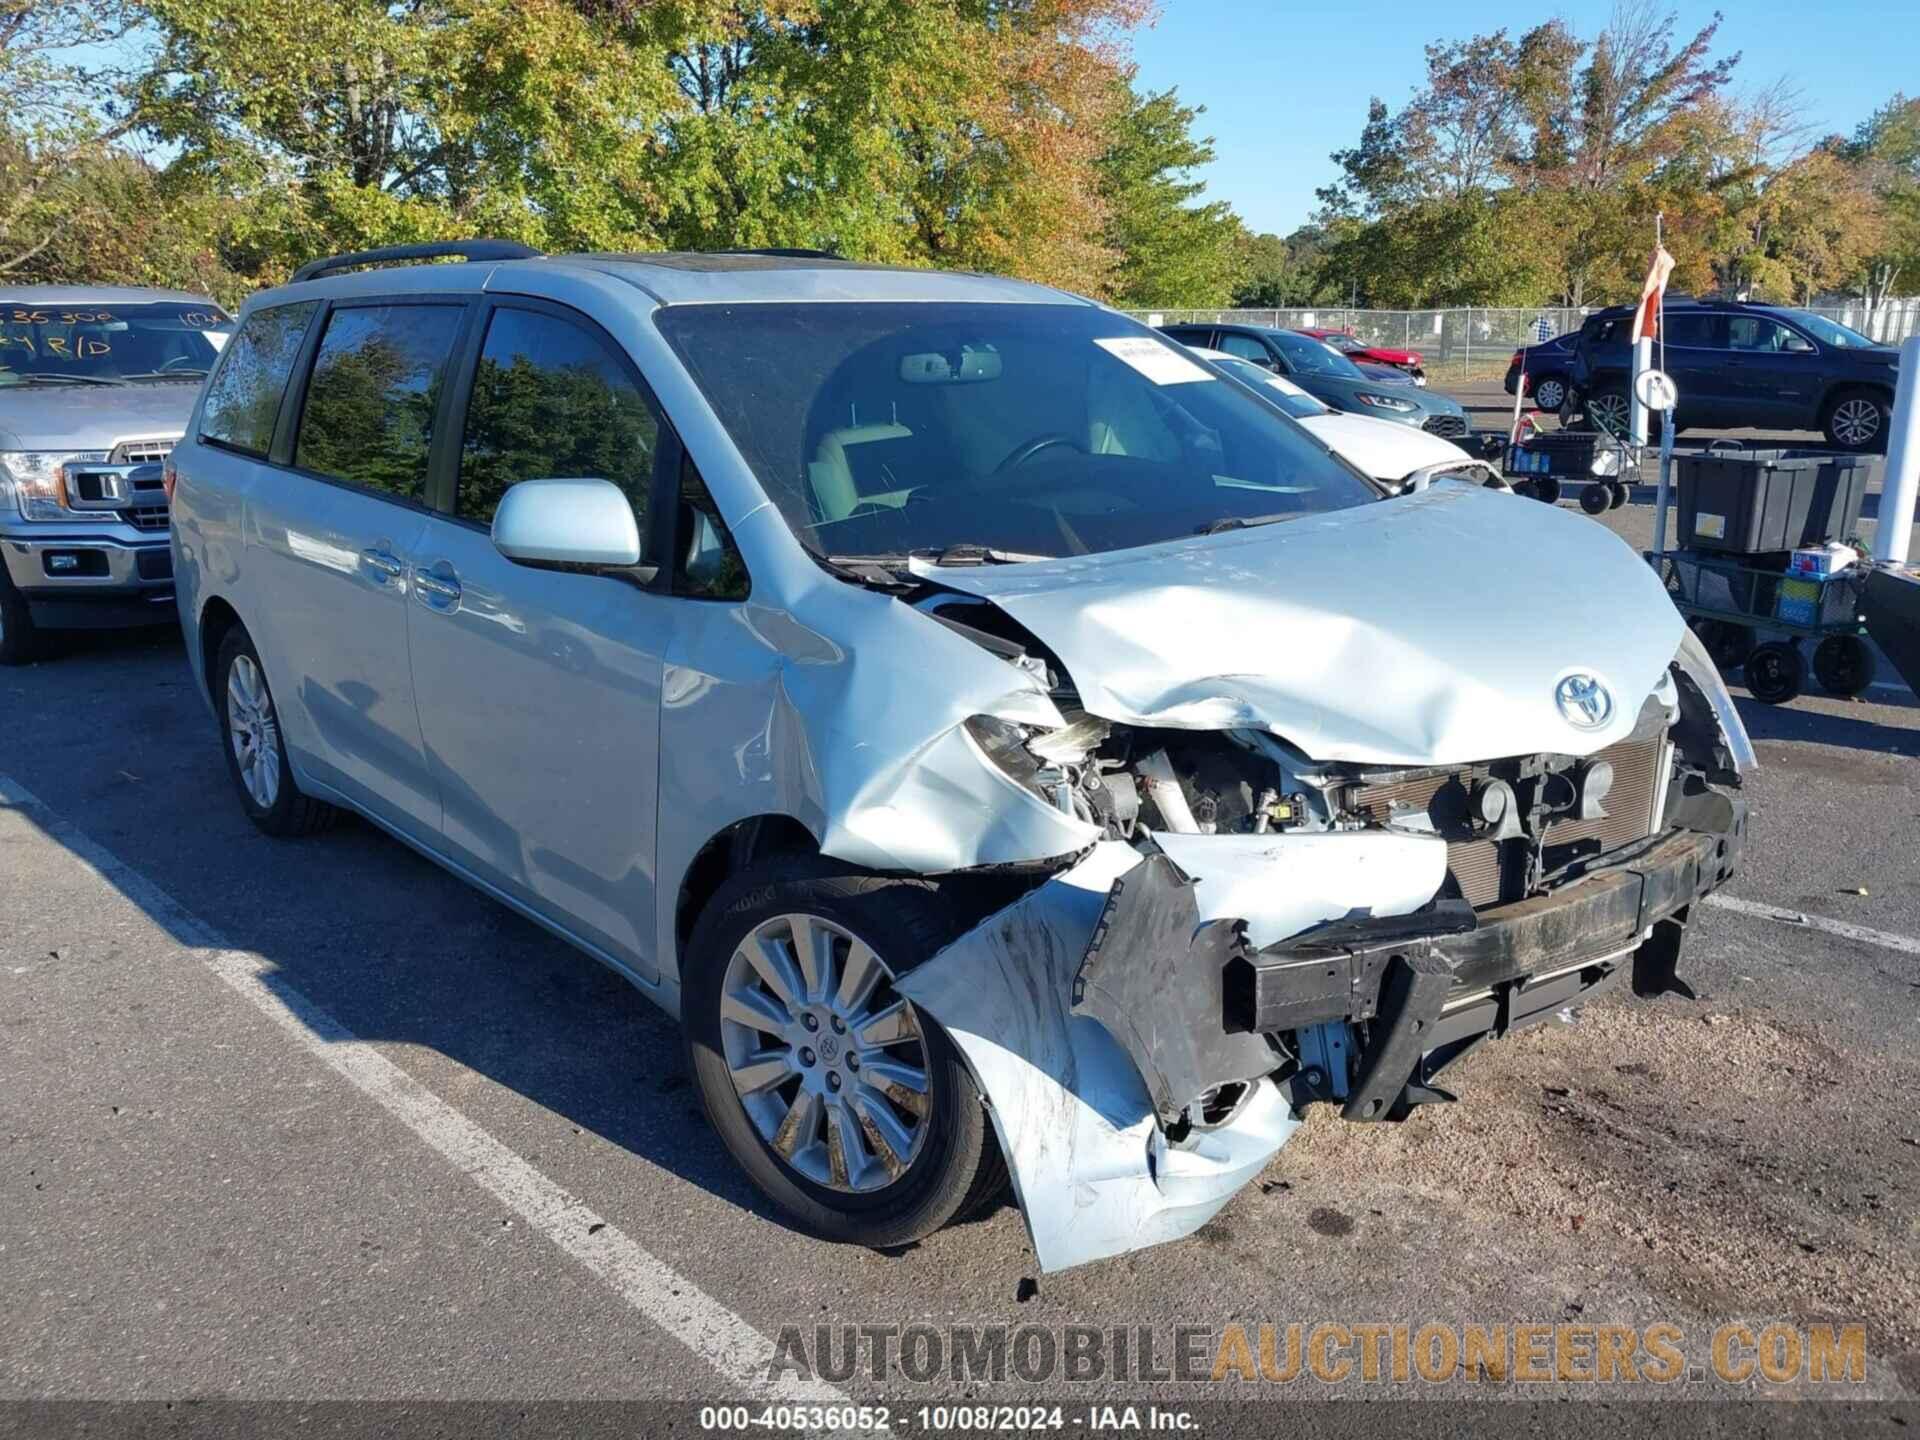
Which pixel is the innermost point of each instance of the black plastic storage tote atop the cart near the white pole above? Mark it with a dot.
(1752, 502)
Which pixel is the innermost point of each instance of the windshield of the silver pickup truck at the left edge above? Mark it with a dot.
(108, 345)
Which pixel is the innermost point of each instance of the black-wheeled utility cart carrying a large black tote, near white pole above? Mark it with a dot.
(1760, 575)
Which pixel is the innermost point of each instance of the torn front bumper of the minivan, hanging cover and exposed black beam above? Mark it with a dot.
(1143, 1061)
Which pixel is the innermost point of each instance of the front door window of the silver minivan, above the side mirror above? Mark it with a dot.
(552, 400)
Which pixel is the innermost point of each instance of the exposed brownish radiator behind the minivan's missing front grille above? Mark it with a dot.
(1495, 873)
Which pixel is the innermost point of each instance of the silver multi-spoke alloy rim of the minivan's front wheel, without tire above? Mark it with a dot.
(827, 1059)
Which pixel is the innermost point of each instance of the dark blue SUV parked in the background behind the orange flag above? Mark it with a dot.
(1740, 366)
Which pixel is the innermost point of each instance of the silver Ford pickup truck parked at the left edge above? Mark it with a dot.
(95, 389)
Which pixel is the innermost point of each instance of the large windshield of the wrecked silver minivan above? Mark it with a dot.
(886, 429)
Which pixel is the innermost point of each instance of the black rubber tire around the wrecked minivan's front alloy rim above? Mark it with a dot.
(959, 1168)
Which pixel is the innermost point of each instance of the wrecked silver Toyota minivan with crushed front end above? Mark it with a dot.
(1005, 742)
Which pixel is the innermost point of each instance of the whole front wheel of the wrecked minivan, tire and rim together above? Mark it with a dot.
(848, 1107)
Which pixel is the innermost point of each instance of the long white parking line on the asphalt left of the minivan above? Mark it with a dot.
(652, 1287)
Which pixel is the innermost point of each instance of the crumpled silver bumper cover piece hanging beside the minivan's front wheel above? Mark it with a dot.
(1092, 1166)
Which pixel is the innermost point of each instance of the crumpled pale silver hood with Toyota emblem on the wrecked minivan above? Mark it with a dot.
(1431, 629)
